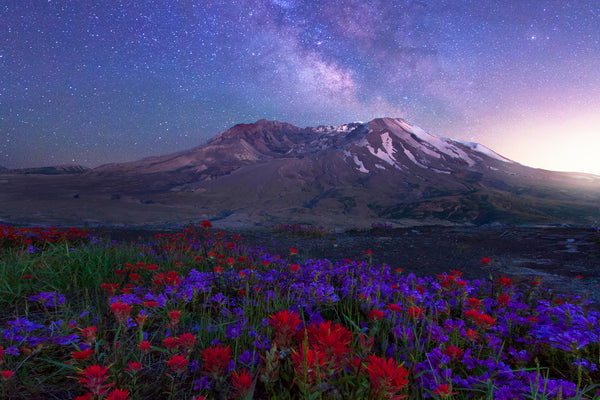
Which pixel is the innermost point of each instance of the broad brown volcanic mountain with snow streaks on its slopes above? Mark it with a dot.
(358, 173)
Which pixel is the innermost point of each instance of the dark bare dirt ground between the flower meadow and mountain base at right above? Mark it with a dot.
(566, 259)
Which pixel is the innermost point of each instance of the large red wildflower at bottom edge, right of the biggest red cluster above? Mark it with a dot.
(387, 378)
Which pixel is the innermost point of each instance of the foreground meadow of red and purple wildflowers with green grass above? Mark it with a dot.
(199, 314)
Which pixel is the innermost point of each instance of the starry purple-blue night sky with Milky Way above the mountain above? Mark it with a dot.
(92, 82)
